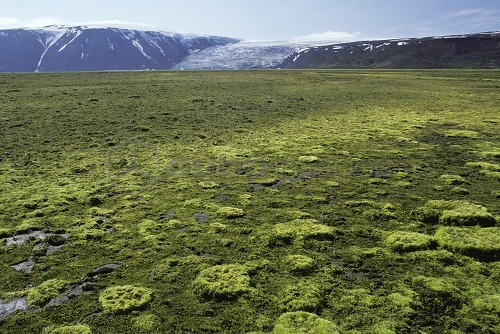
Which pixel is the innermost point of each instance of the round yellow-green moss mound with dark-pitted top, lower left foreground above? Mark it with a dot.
(122, 299)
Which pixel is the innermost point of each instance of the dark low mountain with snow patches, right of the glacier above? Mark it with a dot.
(468, 51)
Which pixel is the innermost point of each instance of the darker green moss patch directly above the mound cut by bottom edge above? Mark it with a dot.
(303, 296)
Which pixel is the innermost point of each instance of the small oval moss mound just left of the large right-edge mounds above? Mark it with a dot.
(409, 241)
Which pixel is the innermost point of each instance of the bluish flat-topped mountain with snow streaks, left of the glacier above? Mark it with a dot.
(86, 48)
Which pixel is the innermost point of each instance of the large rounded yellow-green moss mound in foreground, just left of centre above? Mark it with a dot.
(222, 282)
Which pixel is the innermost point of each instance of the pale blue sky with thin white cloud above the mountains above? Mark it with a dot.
(267, 19)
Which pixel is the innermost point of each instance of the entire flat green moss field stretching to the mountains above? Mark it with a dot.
(321, 201)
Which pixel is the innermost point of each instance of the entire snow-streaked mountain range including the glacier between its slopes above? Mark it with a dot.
(87, 48)
